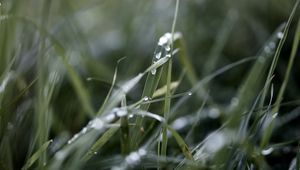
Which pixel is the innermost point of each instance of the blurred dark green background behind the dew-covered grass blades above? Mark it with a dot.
(97, 33)
